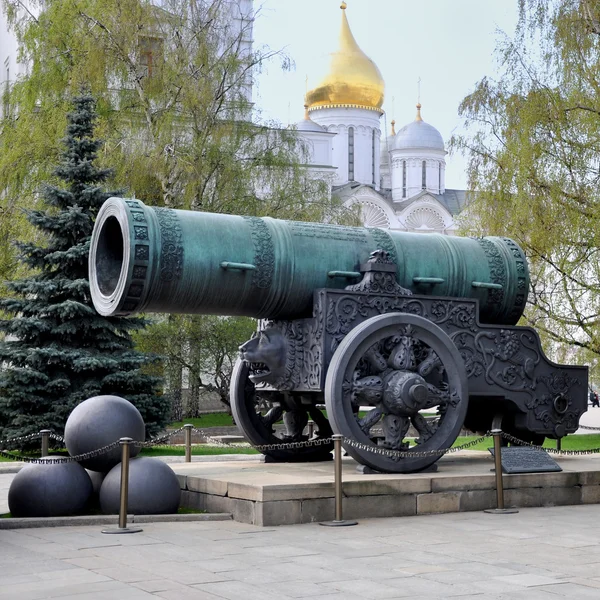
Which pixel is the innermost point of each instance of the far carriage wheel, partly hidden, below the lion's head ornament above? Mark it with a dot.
(256, 413)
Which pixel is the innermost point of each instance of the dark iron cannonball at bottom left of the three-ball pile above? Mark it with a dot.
(49, 490)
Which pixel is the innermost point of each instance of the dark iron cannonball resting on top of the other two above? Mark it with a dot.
(99, 421)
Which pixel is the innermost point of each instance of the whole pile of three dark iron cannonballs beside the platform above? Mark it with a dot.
(62, 489)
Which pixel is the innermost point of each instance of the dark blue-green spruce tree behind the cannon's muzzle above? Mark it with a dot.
(57, 350)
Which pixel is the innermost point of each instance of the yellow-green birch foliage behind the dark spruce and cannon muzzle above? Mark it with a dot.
(172, 93)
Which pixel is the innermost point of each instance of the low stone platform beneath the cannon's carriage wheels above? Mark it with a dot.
(282, 493)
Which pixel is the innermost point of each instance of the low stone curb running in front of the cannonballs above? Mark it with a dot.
(77, 521)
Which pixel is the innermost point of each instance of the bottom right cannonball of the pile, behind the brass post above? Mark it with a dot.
(153, 488)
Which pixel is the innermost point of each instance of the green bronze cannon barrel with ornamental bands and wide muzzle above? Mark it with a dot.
(148, 259)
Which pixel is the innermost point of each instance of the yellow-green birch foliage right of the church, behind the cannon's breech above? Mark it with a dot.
(533, 144)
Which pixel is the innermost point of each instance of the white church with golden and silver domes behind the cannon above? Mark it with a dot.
(397, 180)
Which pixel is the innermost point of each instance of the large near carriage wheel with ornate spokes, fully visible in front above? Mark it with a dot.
(403, 367)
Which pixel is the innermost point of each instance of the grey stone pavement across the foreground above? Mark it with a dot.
(537, 554)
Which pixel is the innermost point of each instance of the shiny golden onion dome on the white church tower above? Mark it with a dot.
(353, 79)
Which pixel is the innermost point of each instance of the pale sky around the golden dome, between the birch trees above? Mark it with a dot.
(448, 44)
